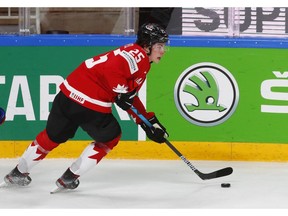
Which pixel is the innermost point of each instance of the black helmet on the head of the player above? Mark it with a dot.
(151, 33)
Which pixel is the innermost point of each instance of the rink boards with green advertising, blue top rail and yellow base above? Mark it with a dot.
(242, 105)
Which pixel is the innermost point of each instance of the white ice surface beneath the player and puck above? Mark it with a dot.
(152, 184)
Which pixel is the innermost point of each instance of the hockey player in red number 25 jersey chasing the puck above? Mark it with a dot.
(85, 100)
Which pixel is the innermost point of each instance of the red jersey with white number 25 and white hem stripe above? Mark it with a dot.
(97, 81)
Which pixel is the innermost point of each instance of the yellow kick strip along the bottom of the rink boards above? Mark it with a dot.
(151, 150)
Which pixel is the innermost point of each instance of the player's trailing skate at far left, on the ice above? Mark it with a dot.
(15, 177)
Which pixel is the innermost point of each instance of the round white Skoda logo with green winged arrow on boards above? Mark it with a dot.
(206, 94)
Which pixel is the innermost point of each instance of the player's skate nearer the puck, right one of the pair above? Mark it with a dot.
(68, 180)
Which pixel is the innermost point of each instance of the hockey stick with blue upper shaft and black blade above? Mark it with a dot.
(204, 176)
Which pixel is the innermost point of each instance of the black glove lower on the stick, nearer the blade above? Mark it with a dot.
(157, 133)
